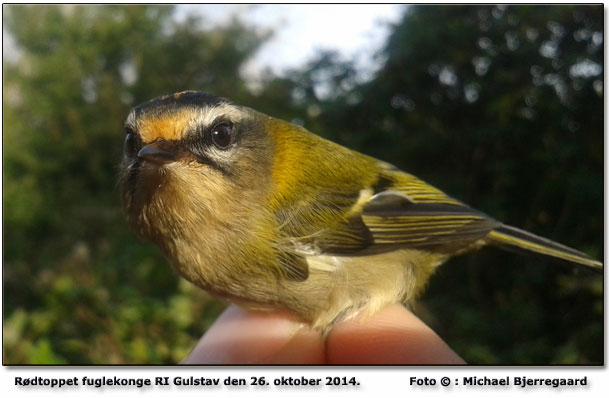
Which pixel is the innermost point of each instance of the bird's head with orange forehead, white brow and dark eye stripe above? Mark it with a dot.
(192, 156)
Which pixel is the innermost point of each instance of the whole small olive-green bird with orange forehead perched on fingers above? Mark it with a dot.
(267, 215)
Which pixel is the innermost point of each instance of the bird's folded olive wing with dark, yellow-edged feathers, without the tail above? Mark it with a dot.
(398, 211)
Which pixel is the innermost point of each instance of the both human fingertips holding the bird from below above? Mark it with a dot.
(391, 336)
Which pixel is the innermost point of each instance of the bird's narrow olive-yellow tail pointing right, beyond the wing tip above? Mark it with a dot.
(514, 238)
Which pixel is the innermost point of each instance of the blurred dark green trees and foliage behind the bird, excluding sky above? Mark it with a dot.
(501, 107)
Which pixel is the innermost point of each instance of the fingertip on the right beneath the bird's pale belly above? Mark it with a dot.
(392, 336)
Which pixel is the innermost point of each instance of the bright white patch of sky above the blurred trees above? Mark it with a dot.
(357, 31)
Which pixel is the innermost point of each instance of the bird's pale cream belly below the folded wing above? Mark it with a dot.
(340, 287)
